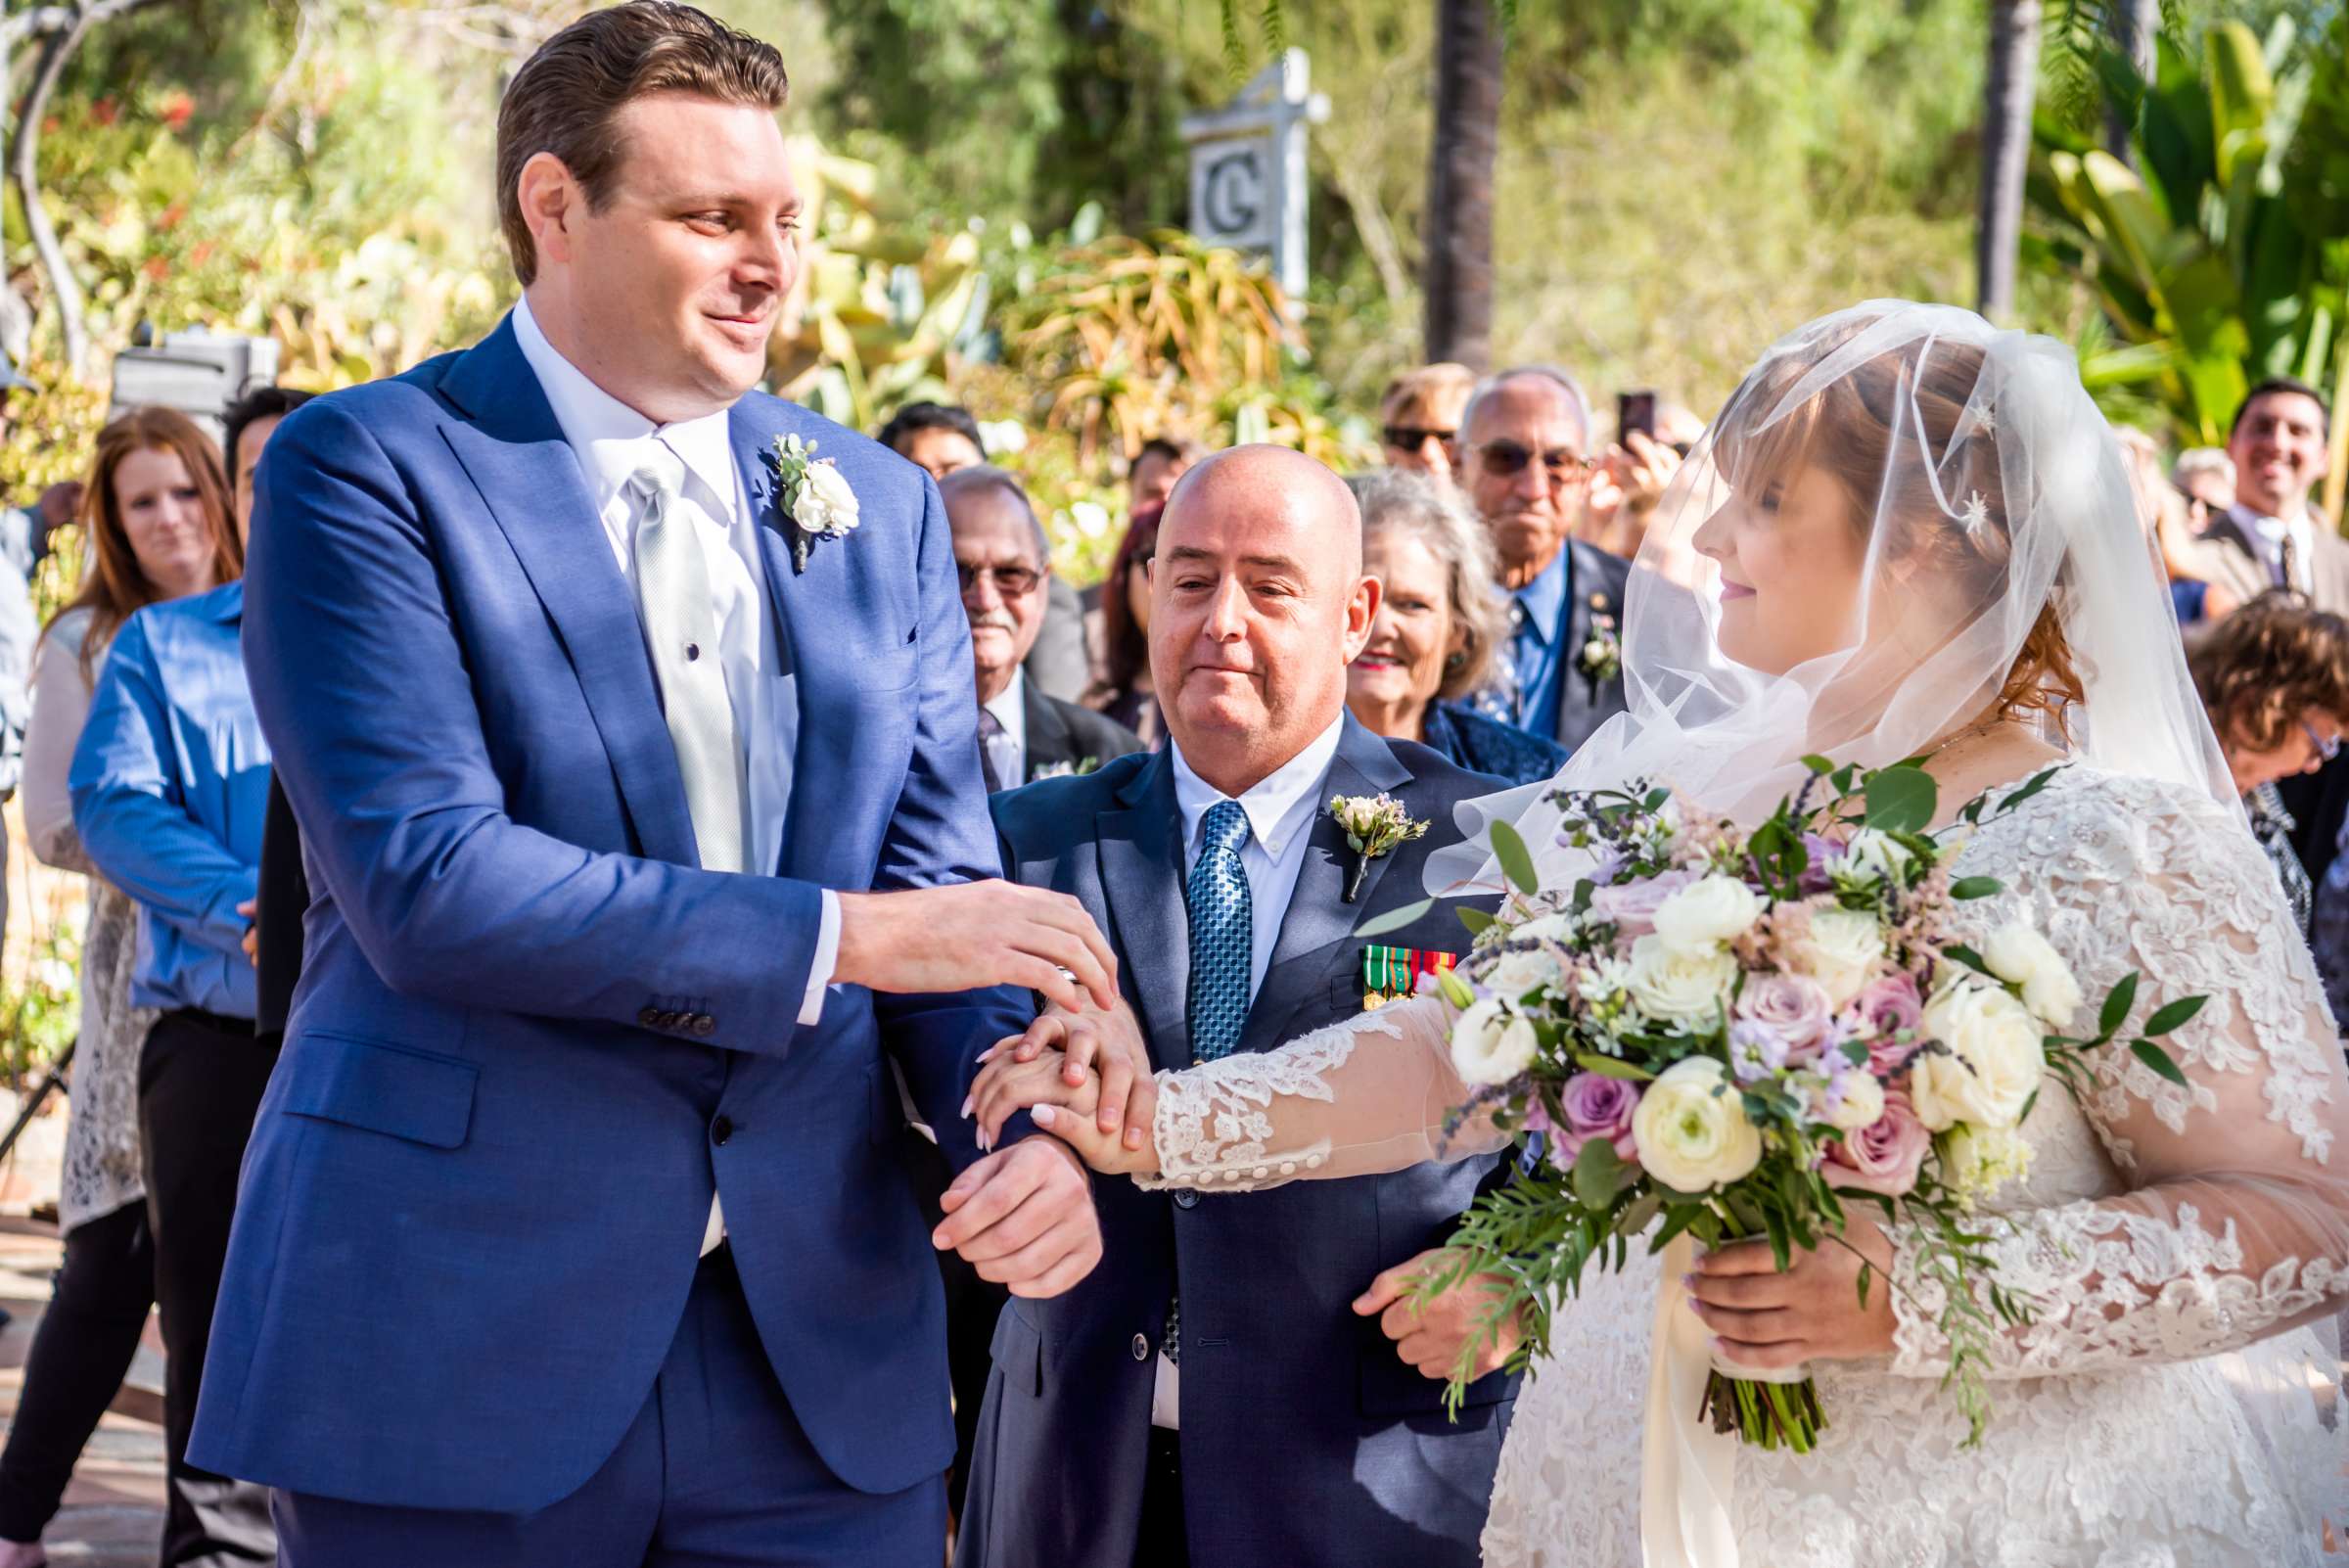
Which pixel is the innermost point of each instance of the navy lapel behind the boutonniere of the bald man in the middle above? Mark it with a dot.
(1314, 931)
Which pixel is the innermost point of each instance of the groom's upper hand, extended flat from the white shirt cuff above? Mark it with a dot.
(971, 935)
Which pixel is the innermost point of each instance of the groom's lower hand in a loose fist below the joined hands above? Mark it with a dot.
(1023, 1217)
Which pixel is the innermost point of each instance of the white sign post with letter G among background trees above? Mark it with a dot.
(1248, 168)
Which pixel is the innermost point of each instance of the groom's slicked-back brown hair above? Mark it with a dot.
(567, 97)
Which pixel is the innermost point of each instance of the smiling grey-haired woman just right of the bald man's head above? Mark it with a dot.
(1436, 633)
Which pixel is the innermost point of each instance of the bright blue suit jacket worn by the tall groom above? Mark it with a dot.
(530, 1034)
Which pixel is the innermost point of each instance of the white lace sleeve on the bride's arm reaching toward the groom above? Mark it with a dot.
(1354, 1100)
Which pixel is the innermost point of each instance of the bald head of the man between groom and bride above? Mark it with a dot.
(1258, 604)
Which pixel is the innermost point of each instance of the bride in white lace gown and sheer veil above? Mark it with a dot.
(1913, 536)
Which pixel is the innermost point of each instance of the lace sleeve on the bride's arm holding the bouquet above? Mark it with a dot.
(2235, 1224)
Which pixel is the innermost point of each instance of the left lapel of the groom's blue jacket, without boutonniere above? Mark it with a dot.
(534, 489)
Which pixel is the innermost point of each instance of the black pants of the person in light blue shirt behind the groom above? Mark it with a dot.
(201, 1083)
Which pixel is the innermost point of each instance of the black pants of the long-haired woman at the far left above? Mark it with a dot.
(81, 1351)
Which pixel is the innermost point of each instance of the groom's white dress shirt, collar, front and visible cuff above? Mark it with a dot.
(612, 442)
